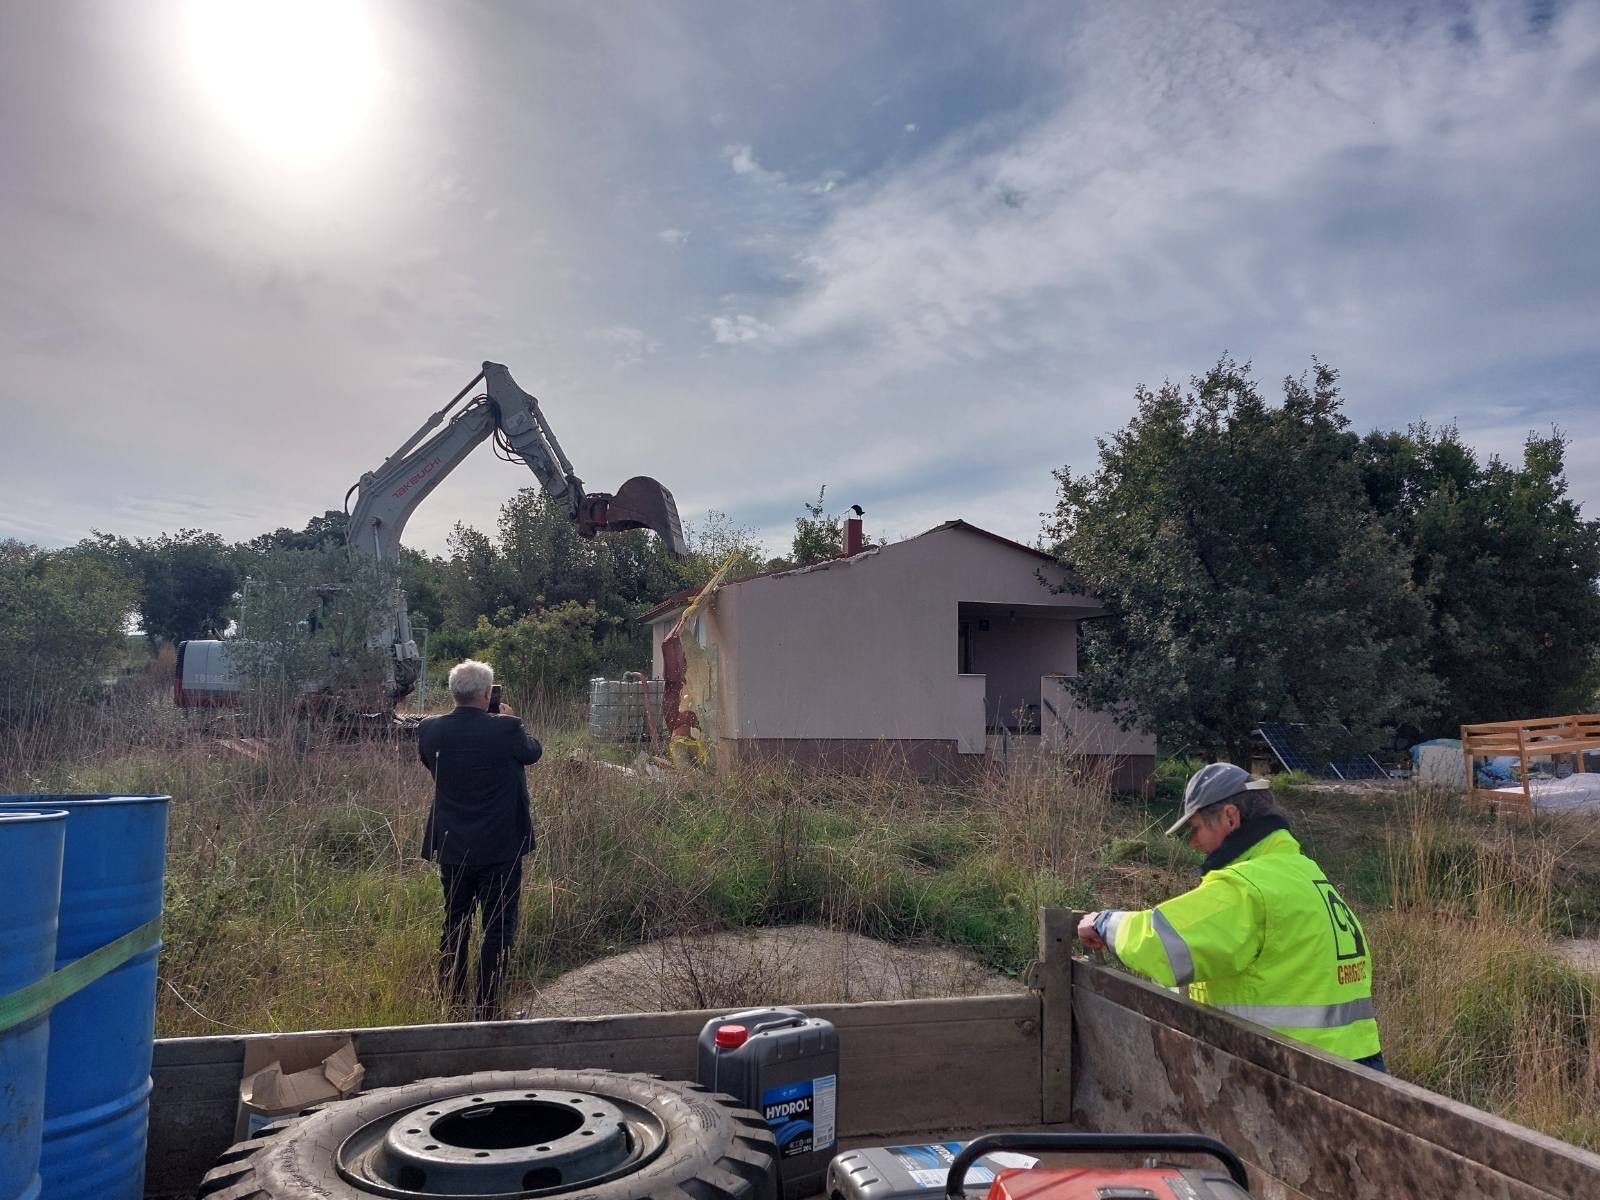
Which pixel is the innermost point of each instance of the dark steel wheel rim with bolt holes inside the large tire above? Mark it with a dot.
(502, 1145)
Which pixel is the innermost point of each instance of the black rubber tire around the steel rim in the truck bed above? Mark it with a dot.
(714, 1148)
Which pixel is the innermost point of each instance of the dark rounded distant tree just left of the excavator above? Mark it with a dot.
(188, 583)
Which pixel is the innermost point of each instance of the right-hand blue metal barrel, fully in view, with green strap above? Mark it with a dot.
(98, 1084)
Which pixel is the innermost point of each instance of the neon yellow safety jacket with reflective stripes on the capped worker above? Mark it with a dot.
(1266, 938)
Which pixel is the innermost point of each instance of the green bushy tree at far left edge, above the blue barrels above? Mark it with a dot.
(63, 626)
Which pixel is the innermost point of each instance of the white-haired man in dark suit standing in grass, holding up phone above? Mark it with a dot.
(479, 828)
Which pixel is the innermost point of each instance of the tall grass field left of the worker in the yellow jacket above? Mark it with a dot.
(295, 897)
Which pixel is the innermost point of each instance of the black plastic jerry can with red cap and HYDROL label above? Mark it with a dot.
(785, 1065)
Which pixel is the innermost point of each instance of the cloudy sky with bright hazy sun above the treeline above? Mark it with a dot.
(918, 252)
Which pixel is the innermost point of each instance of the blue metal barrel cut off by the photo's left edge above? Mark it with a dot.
(31, 868)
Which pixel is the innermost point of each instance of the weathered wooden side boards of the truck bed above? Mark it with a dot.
(1087, 1049)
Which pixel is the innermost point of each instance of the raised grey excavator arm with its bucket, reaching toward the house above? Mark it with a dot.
(388, 495)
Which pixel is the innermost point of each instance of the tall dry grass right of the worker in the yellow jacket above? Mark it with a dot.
(1476, 1002)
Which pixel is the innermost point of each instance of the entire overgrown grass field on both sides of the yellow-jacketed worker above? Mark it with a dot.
(297, 902)
